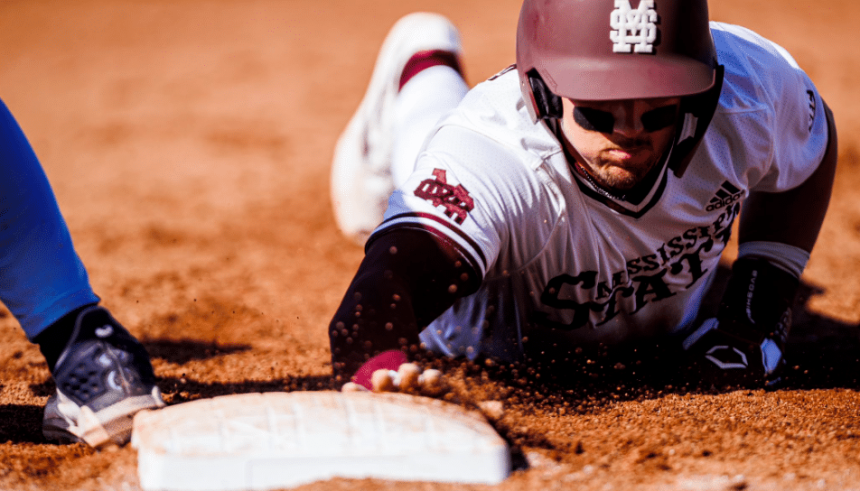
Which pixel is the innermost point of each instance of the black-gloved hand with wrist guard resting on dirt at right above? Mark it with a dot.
(745, 344)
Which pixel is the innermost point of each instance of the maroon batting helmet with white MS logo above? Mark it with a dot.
(610, 50)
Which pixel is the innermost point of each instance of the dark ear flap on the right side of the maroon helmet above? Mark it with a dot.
(696, 113)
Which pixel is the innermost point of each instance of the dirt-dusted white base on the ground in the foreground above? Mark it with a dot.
(281, 440)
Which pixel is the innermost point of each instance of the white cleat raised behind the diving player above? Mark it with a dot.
(361, 177)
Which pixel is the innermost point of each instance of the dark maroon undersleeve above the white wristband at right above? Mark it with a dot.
(793, 217)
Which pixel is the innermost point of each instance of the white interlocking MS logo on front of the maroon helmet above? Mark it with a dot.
(633, 28)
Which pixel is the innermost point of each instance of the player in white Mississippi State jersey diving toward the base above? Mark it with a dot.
(583, 196)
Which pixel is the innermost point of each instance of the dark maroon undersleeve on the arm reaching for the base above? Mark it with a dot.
(407, 278)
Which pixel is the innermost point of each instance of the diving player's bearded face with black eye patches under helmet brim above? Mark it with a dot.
(620, 141)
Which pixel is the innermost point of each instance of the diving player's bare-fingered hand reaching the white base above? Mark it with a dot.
(391, 371)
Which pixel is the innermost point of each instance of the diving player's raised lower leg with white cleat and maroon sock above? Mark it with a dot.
(362, 174)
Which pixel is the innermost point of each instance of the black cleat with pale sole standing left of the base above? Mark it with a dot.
(104, 377)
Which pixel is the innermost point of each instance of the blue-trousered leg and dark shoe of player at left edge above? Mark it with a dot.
(103, 374)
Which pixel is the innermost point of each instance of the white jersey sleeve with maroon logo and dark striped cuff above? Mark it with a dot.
(467, 190)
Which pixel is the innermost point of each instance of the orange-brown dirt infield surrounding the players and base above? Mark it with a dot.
(189, 145)
